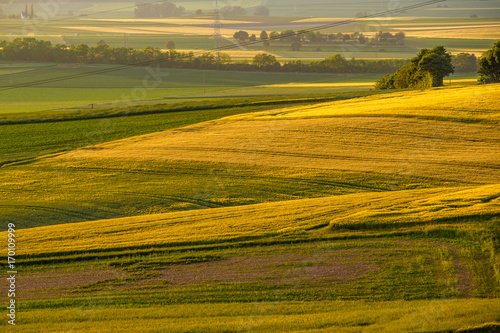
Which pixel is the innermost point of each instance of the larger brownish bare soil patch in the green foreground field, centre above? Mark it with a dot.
(323, 267)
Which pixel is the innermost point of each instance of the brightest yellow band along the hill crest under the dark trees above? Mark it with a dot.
(465, 103)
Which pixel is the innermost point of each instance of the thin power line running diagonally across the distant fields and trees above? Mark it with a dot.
(228, 47)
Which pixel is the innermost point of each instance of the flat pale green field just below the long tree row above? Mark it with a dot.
(121, 87)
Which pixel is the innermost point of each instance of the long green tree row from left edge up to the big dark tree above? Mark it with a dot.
(31, 49)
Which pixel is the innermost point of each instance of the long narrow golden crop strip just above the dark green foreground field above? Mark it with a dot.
(413, 207)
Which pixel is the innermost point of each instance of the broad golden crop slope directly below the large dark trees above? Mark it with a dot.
(401, 133)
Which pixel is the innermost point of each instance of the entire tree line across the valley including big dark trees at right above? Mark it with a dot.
(427, 69)
